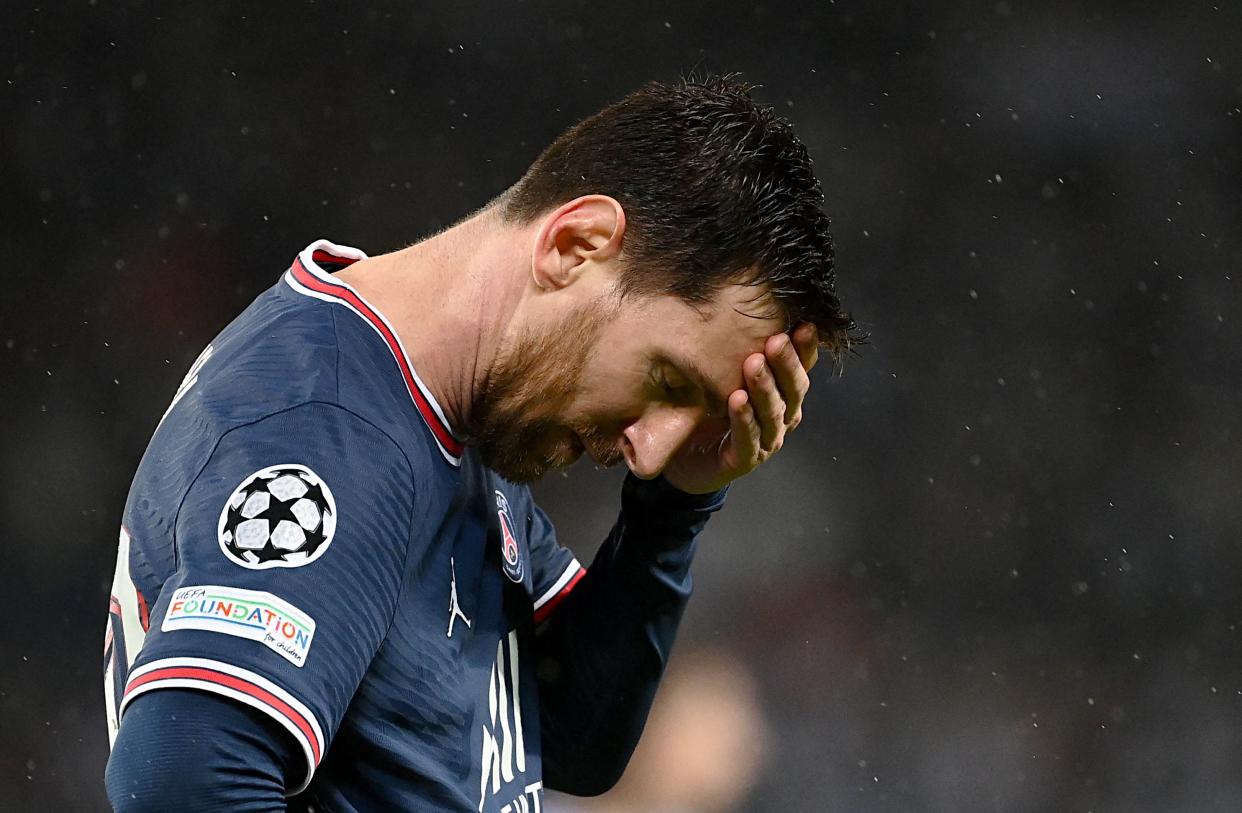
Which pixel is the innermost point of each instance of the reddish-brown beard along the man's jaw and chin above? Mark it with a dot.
(515, 419)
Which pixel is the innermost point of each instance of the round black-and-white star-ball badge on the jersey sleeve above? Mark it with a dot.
(280, 517)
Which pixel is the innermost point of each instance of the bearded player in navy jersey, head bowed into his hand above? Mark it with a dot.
(335, 591)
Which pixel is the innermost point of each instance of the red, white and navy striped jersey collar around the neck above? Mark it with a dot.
(311, 275)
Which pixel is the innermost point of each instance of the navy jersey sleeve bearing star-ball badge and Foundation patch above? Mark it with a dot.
(290, 555)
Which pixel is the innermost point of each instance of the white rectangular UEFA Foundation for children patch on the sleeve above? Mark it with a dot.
(244, 614)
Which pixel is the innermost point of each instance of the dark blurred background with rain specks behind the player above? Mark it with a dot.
(999, 569)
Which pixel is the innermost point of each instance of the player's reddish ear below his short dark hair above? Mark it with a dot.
(589, 228)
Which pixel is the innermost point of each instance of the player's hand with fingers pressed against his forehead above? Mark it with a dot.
(761, 415)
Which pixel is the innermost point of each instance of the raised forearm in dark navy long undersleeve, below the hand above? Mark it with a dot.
(603, 652)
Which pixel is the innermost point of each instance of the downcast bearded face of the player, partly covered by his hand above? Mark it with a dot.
(633, 382)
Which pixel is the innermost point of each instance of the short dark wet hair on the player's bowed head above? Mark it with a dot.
(716, 189)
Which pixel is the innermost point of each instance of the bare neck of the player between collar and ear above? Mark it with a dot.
(450, 299)
